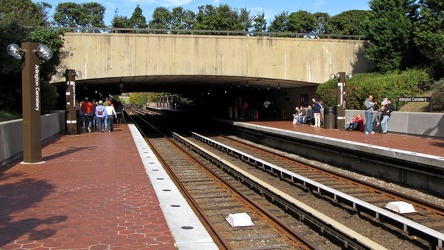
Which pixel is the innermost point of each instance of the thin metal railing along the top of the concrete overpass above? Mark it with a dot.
(209, 32)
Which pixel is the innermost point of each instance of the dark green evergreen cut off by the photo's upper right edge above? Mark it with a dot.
(429, 35)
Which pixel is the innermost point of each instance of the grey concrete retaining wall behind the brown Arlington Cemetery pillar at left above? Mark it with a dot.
(11, 134)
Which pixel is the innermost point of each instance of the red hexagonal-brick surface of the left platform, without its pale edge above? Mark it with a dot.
(91, 192)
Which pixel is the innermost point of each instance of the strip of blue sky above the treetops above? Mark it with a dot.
(271, 8)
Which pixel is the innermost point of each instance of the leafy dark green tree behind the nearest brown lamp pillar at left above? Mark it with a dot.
(16, 29)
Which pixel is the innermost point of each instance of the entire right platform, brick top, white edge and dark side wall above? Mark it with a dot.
(412, 161)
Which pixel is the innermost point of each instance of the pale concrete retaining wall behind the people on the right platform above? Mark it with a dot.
(413, 123)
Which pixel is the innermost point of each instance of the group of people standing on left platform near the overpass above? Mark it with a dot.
(99, 115)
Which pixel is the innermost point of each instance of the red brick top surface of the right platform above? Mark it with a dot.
(396, 141)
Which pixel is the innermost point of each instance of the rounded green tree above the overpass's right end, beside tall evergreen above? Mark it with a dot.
(349, 23)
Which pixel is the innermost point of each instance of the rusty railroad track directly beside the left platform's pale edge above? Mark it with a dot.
(215, 199)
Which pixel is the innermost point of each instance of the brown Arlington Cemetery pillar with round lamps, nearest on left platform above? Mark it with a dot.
(32, 138)
